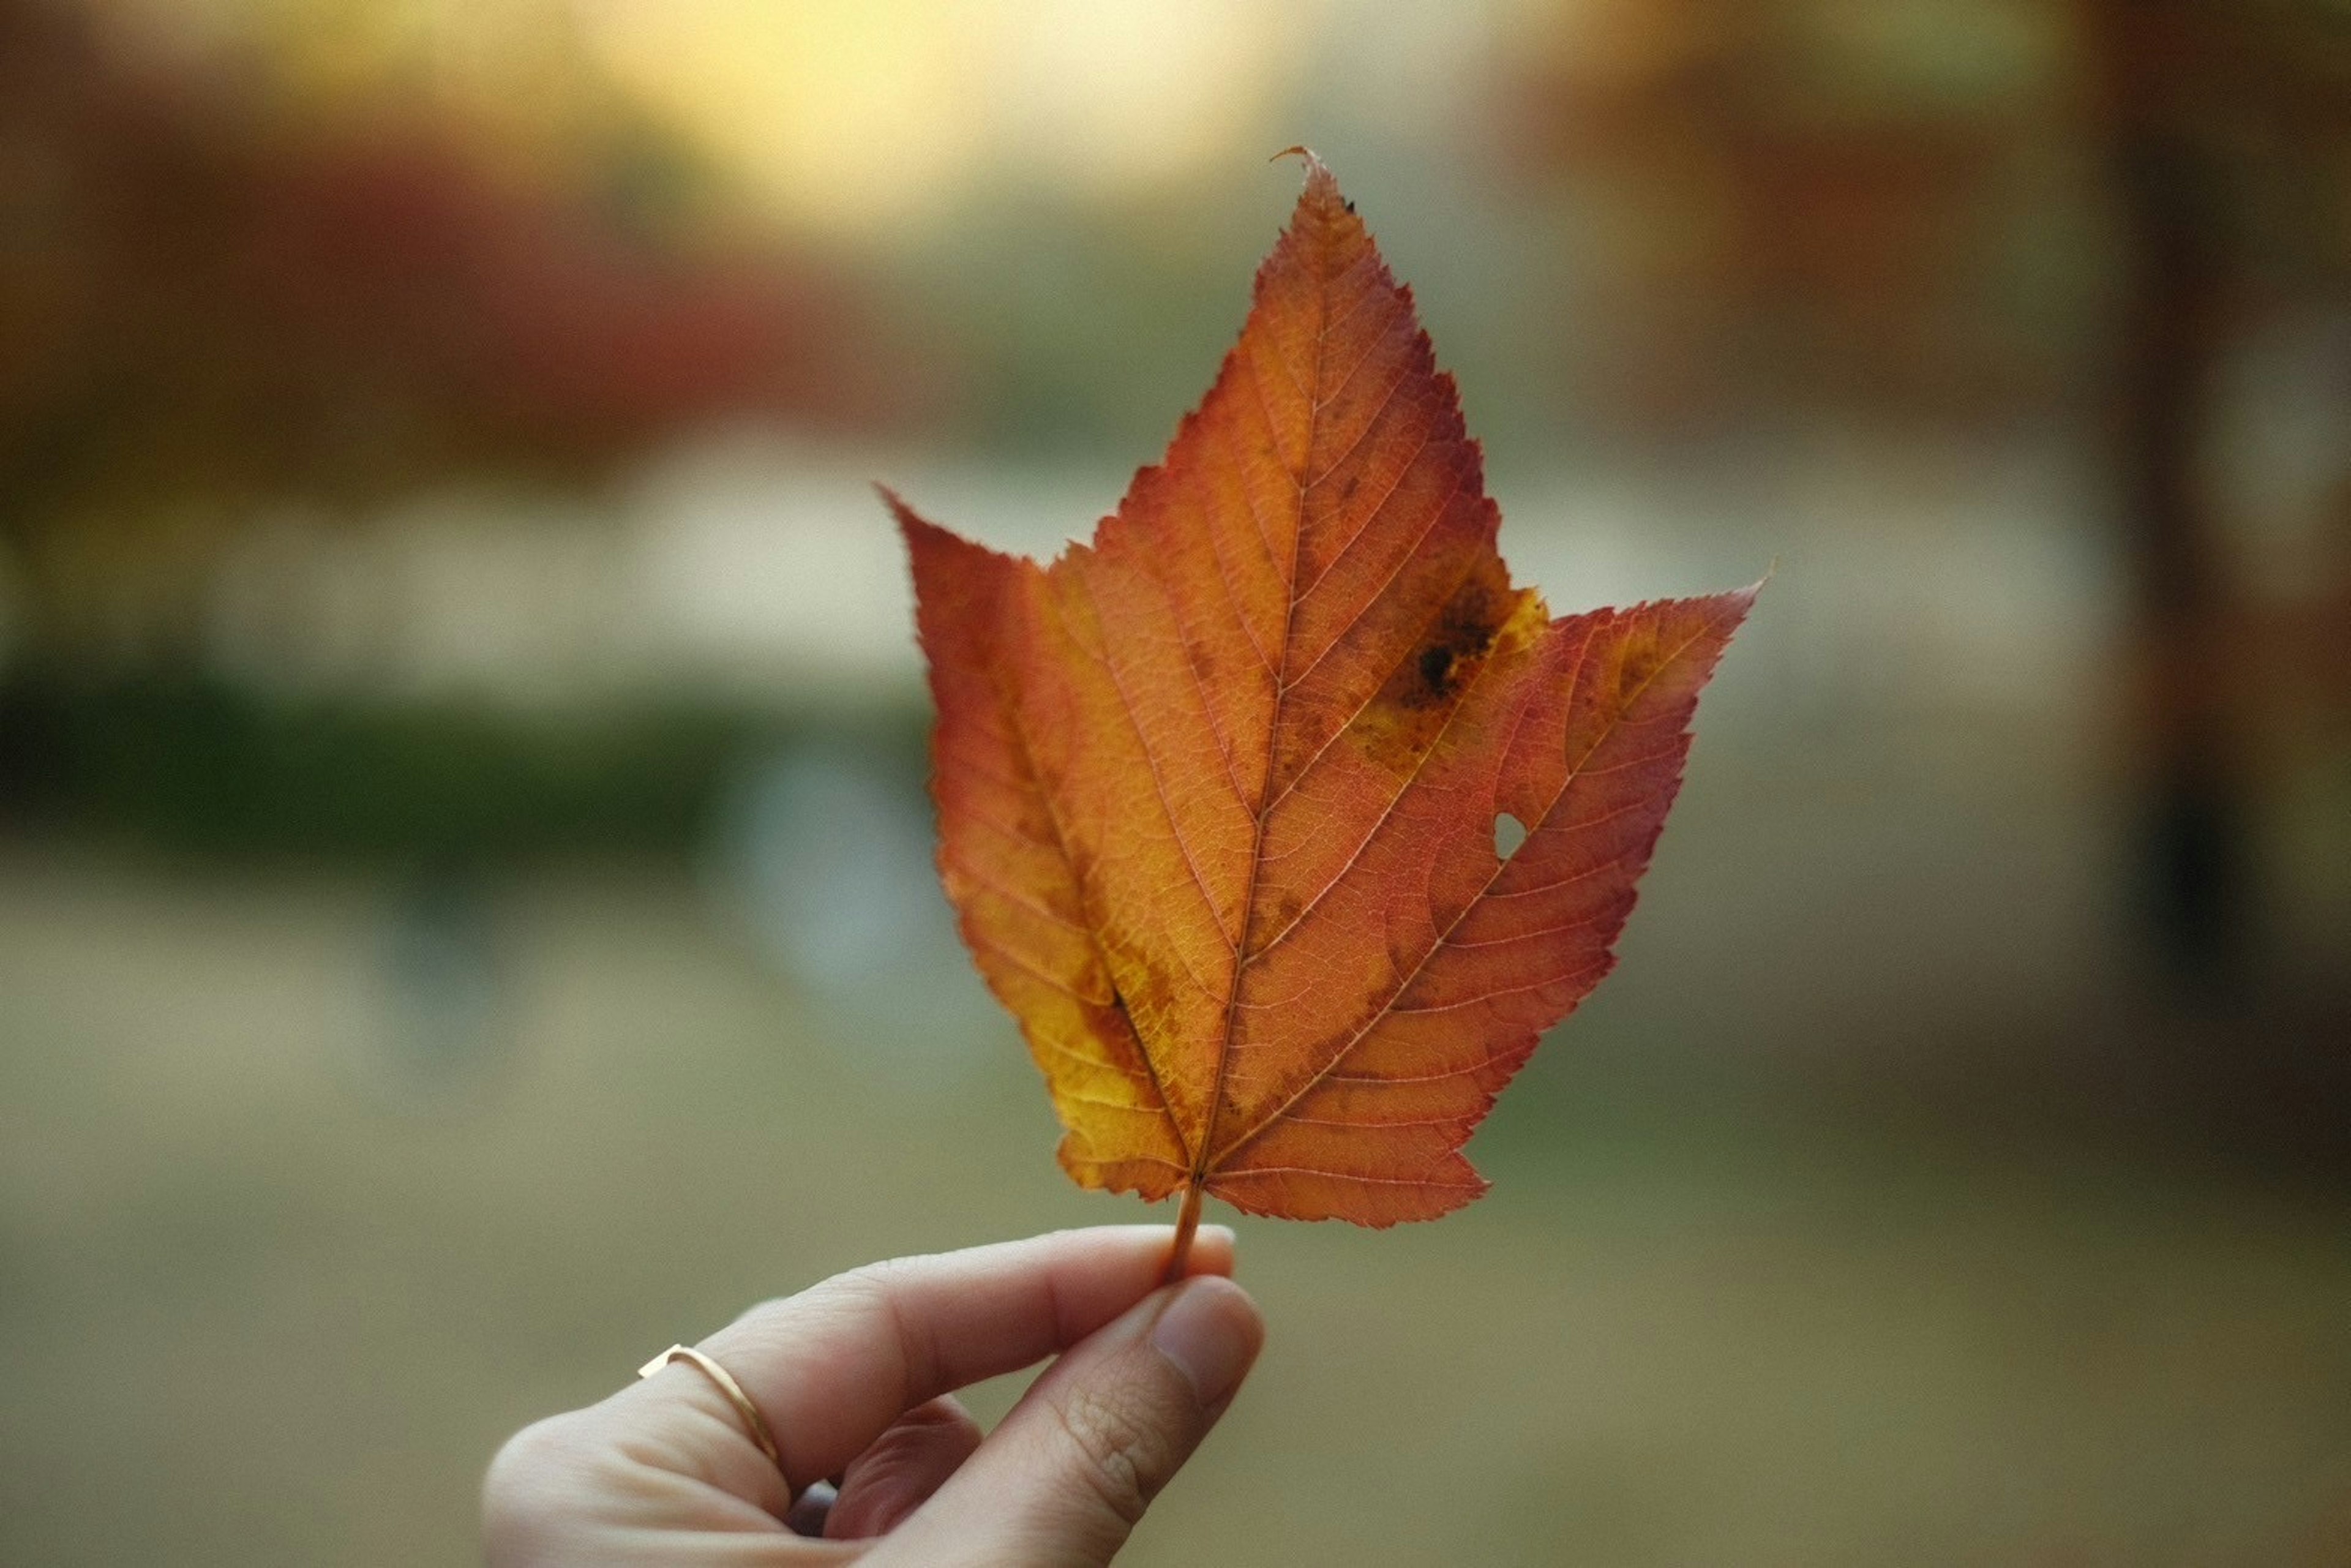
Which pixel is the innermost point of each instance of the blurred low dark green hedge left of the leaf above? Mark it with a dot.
(196, 765)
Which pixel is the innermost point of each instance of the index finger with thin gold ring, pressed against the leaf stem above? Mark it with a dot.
(833, 1367)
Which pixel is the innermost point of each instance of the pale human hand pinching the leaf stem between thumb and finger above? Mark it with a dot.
(855, 1381)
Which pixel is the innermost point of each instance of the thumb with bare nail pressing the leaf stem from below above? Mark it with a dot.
(1064, 1480)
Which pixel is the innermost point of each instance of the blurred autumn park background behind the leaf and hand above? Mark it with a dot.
(464, 873)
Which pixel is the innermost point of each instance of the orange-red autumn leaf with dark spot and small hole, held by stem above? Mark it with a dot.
(1219, 793)
